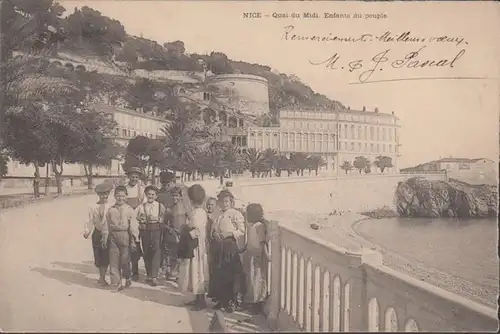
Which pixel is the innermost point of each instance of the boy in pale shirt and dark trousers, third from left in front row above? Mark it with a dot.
(150, 216)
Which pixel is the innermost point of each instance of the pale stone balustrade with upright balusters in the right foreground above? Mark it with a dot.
(319, 287)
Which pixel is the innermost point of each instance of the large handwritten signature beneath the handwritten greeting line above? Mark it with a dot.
(411, 60)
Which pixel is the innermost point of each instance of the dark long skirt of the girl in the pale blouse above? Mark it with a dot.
(227, 270)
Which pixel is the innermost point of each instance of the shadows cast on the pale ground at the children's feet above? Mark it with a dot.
(165, 294)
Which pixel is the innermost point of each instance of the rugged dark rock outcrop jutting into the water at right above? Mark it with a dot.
(420, 197)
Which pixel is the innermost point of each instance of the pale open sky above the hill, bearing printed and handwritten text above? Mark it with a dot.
(439, 118)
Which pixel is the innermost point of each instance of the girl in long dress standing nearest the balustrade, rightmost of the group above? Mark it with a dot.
(256, 258)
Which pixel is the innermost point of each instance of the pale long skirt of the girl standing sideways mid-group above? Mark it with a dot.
(193, 273)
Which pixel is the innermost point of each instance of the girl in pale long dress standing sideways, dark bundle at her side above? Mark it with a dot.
(193, 264)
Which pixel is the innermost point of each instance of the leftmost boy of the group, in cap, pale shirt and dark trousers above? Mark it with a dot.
(93, 226)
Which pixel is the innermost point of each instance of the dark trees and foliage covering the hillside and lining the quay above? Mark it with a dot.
(47, 122)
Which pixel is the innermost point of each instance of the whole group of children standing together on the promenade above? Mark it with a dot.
(206, 245)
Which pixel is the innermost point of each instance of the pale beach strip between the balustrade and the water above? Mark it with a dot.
(340, 229)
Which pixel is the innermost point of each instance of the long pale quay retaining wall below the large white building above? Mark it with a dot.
(322, 195)
